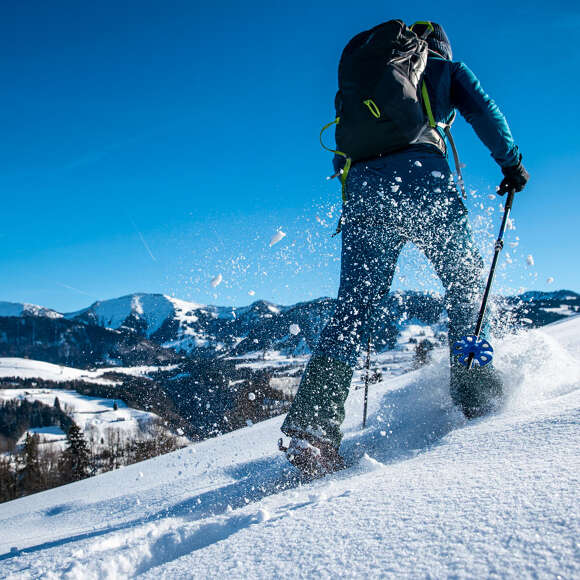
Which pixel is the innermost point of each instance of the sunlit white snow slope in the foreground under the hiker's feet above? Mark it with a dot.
(427, 495)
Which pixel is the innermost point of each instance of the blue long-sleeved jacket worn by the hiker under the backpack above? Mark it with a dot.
(452, 86)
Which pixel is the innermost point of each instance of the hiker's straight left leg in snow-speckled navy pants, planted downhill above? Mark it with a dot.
(369, 256)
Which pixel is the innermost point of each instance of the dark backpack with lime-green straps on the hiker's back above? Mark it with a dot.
(382, 103)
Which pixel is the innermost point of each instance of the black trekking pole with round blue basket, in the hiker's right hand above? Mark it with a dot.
(471, 348)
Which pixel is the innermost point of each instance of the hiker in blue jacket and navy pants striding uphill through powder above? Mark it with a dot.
(393, 199)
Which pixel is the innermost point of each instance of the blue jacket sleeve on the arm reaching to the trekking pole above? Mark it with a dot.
(480, 111)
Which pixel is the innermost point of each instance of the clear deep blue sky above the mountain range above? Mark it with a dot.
(149, 146)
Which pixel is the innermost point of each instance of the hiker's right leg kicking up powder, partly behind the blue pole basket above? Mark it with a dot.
(446, 239)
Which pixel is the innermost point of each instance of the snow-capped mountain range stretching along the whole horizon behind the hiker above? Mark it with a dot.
(140, 328)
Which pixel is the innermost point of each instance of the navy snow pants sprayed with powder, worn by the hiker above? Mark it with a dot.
(396, 199)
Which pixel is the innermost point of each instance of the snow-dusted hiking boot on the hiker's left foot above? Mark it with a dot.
(312, 458)
